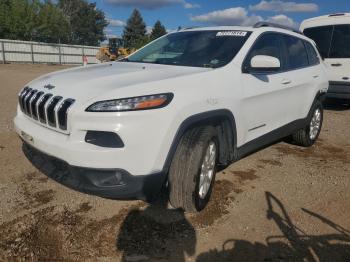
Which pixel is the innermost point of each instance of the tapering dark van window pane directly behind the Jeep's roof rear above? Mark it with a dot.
(322, 36)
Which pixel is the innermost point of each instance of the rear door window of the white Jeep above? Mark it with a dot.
(296, 53)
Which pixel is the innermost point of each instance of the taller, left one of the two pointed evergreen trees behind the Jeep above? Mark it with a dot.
(134, 34)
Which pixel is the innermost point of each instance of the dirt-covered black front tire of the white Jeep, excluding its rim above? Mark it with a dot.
(185, 169)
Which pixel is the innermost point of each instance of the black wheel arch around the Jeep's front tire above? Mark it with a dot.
(223, 120)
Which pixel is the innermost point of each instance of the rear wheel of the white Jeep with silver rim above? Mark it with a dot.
(308, 135)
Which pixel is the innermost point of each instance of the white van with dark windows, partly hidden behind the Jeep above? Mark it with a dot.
(332, 36)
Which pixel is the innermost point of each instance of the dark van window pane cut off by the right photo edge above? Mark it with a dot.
(340, 47)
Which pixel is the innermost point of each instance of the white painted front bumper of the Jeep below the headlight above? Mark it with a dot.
(147, 140)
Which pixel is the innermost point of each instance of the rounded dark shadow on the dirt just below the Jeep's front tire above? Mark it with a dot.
(156, 233)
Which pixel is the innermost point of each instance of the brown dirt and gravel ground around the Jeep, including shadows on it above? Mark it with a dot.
(284, 203)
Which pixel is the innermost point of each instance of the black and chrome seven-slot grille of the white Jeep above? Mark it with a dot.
(45, 108)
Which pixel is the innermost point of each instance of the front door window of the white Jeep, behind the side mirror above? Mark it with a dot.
(268, 44)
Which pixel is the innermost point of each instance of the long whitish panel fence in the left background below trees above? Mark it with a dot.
(14, 51)
